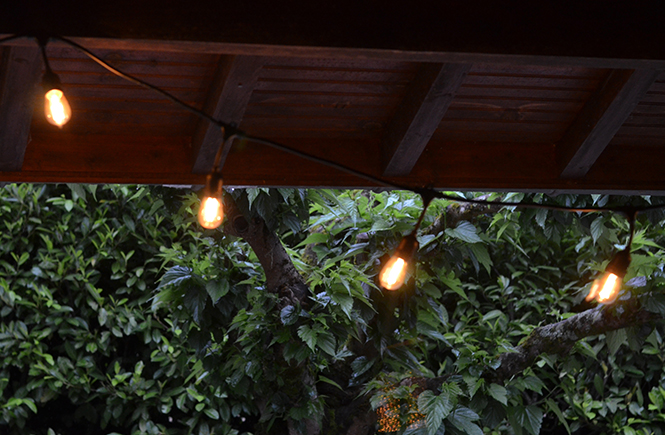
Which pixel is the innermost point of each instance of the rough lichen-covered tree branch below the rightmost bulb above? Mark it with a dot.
(559, 338)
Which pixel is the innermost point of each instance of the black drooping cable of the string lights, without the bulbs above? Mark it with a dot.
(231, 132)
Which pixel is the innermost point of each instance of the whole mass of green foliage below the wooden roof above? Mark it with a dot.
(119, 314)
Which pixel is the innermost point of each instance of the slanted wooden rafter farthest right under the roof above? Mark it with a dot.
(600, 119)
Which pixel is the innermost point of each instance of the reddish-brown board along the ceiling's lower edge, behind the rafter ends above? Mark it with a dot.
(460, 165)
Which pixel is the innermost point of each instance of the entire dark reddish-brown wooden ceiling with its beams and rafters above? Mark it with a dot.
(448, 96)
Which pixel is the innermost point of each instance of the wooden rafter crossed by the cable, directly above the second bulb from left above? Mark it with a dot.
(229, 94)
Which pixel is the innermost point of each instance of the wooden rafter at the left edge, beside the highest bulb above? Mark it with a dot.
(19, 76)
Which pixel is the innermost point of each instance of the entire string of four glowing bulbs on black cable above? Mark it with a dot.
(58, 112)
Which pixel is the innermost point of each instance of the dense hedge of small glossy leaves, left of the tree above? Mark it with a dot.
(81, 350)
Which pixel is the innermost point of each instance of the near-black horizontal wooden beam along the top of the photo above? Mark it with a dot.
(477, 26)
